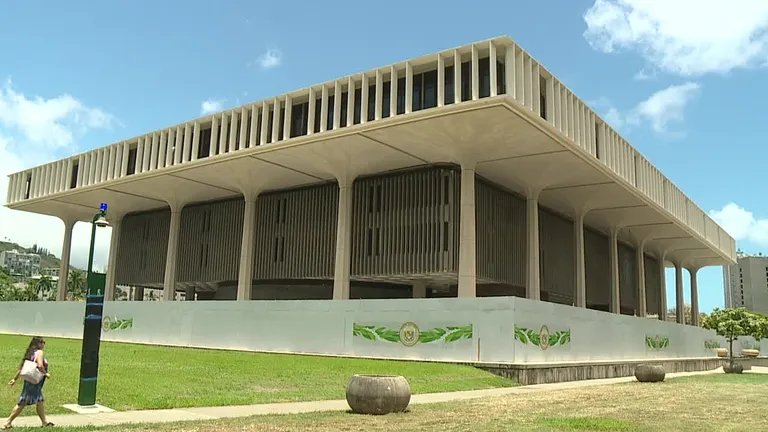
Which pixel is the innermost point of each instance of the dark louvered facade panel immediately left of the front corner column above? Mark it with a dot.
(406, 223)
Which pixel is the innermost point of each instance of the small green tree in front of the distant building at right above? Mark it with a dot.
(733, 323)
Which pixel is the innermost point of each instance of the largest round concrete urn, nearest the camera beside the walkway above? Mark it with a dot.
(378, 394)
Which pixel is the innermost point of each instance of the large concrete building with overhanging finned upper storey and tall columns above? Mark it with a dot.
(464, 173)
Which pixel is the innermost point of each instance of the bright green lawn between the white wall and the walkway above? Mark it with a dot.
(133, 377)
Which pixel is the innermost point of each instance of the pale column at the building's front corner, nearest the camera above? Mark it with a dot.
(468, 233)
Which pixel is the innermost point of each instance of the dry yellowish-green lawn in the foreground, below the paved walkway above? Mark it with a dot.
(692, 404)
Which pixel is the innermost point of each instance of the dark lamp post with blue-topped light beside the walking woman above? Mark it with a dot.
(94, 308)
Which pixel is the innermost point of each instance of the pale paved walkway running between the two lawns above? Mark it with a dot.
(214, 413)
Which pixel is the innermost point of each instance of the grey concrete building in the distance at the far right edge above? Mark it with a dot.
(745, 283)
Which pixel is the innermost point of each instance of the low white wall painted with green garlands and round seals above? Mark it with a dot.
(499, 329)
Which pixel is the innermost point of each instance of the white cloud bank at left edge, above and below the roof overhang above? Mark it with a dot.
(32, 131)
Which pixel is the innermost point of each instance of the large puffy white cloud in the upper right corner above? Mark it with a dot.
(685, 37)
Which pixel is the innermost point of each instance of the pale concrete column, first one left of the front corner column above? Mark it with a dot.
(343, 242)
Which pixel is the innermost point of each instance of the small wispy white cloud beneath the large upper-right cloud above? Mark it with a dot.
(664, 107)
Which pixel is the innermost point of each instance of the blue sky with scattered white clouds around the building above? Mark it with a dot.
(682, 80)
